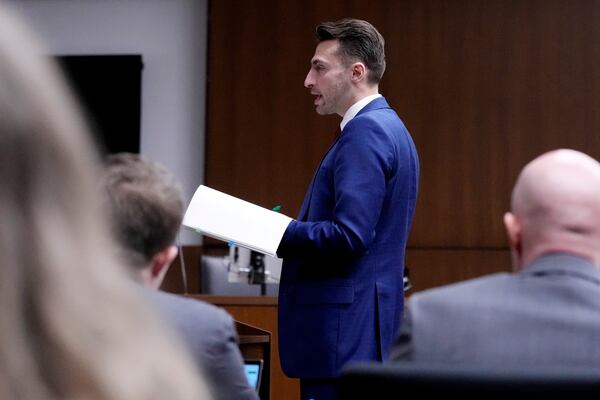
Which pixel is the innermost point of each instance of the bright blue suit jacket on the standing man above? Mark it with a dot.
(341, 289)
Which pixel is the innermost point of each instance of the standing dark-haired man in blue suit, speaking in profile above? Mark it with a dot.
(341, 289)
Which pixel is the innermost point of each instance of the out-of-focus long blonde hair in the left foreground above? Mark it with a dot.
(72, 325)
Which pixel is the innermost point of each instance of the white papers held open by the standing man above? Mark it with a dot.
(225, 217)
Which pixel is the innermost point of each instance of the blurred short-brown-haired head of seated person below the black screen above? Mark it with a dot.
(145, 204)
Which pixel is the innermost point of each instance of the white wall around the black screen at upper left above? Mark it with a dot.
(171, 35)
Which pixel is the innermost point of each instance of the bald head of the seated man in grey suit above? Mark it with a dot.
(556, 207)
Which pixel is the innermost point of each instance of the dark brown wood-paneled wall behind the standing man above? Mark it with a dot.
(483, 86)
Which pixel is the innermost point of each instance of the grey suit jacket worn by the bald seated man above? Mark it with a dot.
(547, 314)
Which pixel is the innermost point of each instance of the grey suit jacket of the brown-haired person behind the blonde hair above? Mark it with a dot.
(210, 335)
